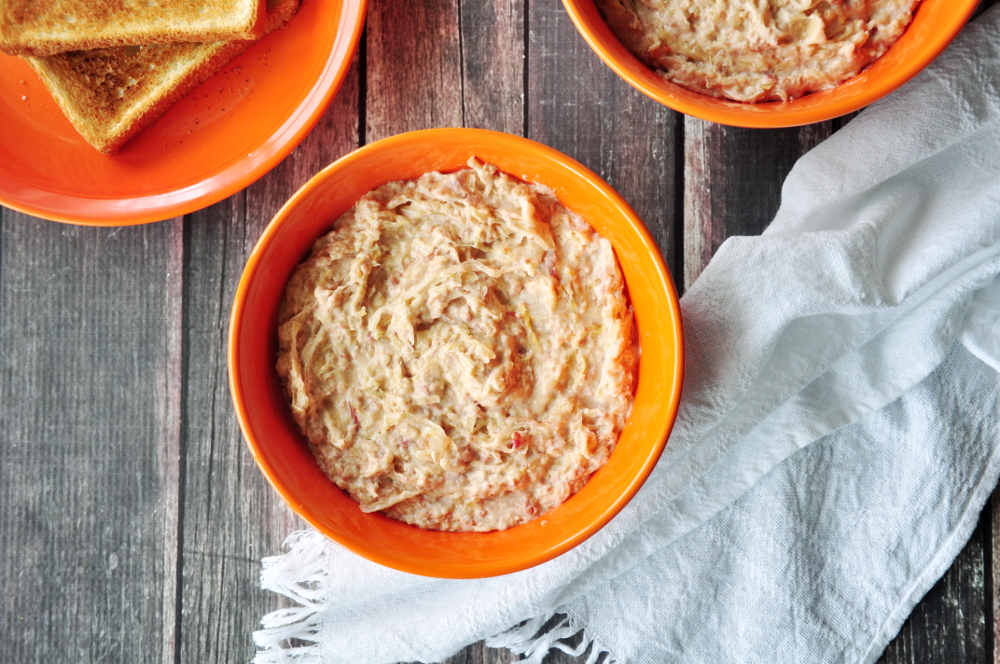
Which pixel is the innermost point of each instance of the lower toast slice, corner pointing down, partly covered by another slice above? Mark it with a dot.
(111, 94)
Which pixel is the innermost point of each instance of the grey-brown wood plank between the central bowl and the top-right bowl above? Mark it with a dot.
(577, 105)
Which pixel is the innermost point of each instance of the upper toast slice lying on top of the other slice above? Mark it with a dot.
(45, 27)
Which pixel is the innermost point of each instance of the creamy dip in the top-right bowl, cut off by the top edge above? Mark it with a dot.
(758, 50)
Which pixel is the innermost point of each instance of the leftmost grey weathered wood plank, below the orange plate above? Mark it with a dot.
(89, 420)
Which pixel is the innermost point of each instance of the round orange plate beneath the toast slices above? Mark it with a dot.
(220, 138)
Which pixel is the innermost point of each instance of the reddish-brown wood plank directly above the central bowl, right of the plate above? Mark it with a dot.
(464, 66)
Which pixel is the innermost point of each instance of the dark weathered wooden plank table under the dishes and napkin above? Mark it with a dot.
(133, 519)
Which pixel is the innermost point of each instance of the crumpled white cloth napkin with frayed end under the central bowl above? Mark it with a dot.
(862, 328)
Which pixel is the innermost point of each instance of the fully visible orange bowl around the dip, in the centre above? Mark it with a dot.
(282, 452)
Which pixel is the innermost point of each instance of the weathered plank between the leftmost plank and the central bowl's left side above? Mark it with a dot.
(231, 516)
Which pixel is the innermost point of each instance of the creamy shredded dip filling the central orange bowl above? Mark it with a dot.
(459, 351)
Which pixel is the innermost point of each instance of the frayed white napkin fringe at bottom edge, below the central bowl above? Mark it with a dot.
(534, 639)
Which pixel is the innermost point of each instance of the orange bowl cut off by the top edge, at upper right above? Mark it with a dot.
(935, 24)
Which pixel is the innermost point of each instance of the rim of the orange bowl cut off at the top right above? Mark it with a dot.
(772, 115)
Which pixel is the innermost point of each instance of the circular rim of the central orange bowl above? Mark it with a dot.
(252, 271)
